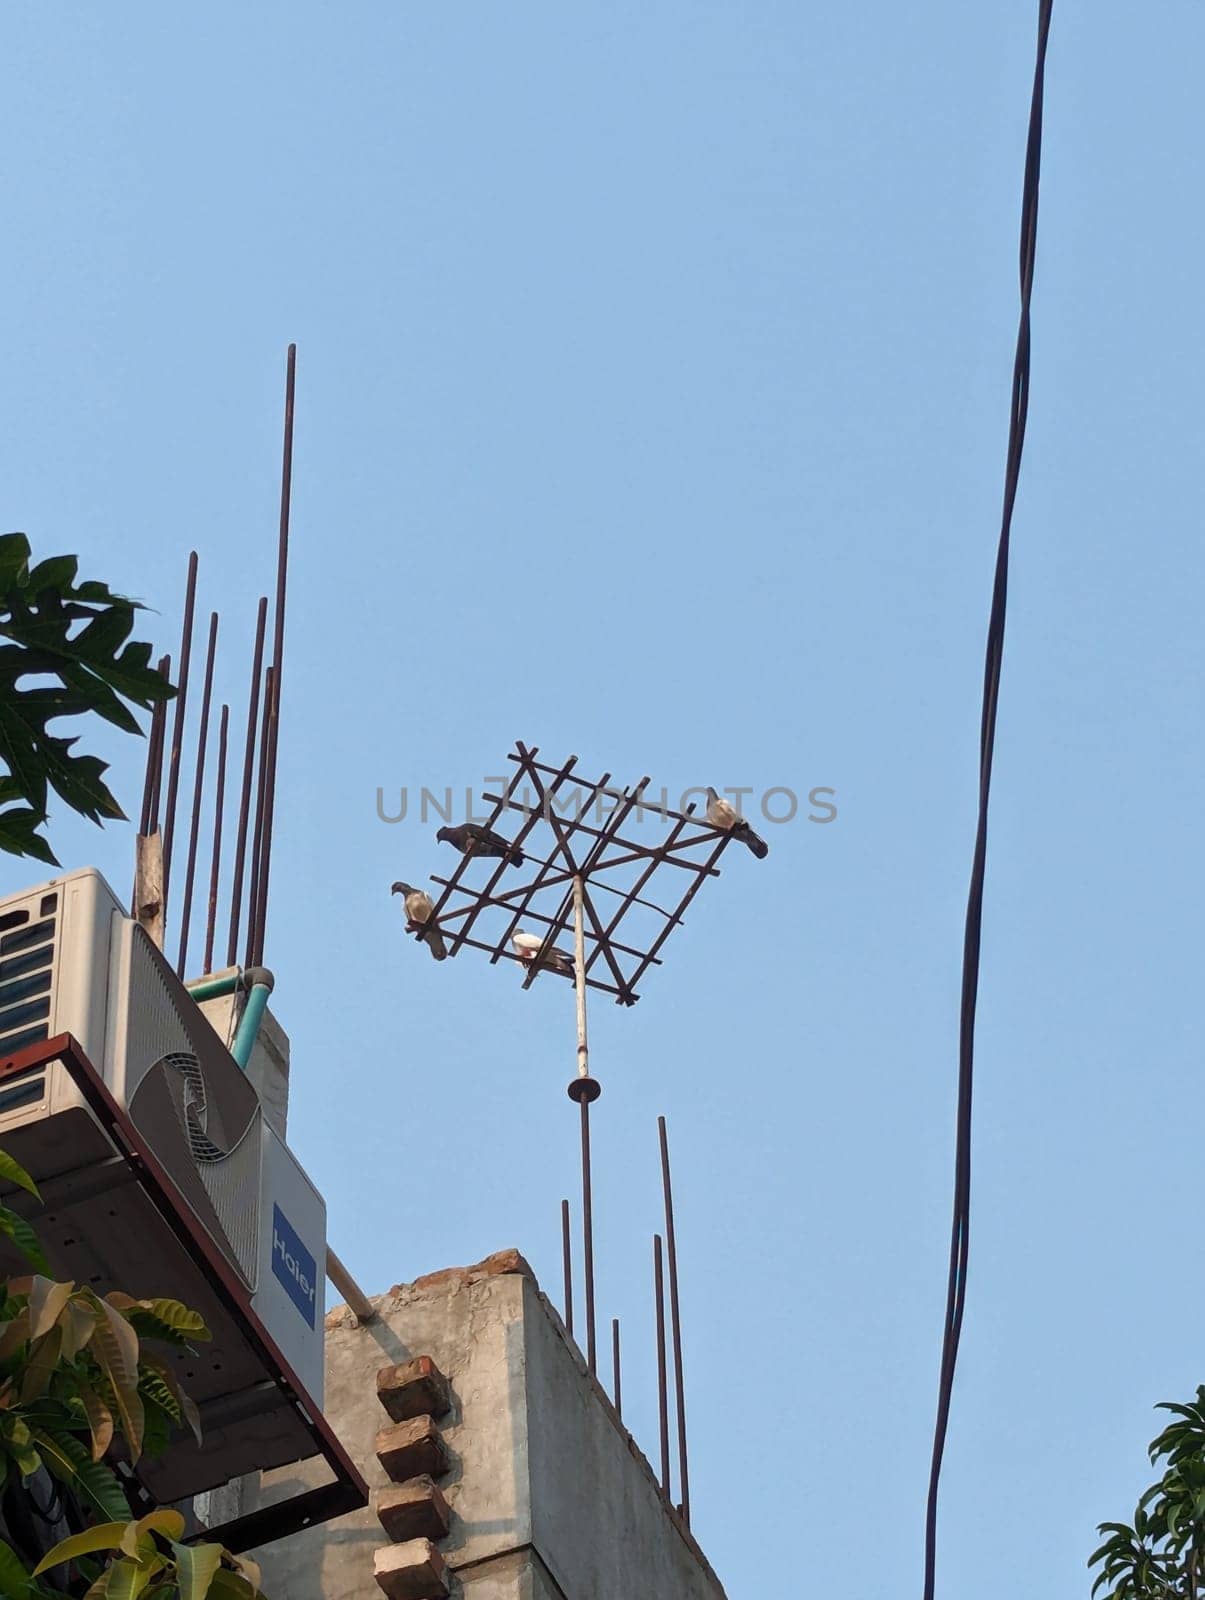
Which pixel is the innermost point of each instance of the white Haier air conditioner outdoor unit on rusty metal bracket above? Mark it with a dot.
(74, 962)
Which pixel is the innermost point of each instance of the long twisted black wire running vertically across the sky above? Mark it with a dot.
(956, 1290)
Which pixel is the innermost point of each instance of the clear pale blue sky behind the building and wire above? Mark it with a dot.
(654, 372)
